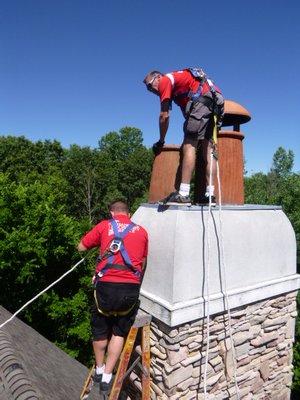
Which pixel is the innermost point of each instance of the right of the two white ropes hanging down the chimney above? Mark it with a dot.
(224, 280)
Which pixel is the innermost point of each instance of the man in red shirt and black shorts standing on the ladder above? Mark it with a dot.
(123, 248)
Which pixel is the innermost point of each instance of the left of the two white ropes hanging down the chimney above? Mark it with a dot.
(207, 277)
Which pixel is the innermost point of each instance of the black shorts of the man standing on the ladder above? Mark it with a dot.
(114, 297)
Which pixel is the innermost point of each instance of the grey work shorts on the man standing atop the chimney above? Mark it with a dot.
(199, 121)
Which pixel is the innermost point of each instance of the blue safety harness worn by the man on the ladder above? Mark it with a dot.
(116, 246)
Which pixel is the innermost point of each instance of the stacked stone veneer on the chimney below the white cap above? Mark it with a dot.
(263, 334)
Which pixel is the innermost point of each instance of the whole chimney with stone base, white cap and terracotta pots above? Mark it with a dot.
(198, 260)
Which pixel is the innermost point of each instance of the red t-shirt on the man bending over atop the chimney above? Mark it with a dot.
(180, 82)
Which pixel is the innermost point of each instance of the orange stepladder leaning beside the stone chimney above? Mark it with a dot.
(142, 323)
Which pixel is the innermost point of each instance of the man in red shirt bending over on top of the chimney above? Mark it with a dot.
(199, 99)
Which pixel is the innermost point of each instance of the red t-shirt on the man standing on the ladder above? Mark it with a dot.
(135, 243)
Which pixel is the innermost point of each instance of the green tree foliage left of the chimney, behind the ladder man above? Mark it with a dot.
(49, 196)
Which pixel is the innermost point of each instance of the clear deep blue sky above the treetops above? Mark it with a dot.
(73, 70)
